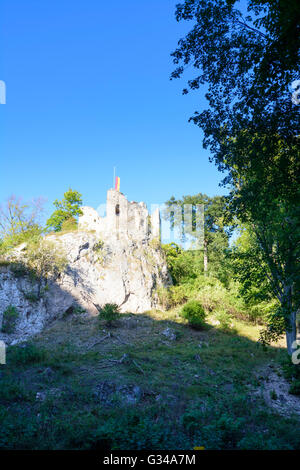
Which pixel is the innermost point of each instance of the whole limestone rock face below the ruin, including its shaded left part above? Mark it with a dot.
(122, 271)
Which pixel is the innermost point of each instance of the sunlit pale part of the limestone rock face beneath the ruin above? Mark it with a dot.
(120, 271)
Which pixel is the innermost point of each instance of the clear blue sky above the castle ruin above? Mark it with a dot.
(88, 89)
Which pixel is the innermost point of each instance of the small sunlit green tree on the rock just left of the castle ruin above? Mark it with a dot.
(68, 208)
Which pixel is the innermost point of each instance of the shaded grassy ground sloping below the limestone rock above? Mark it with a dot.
(147, 382)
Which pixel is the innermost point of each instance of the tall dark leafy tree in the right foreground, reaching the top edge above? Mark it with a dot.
(252, 125)
